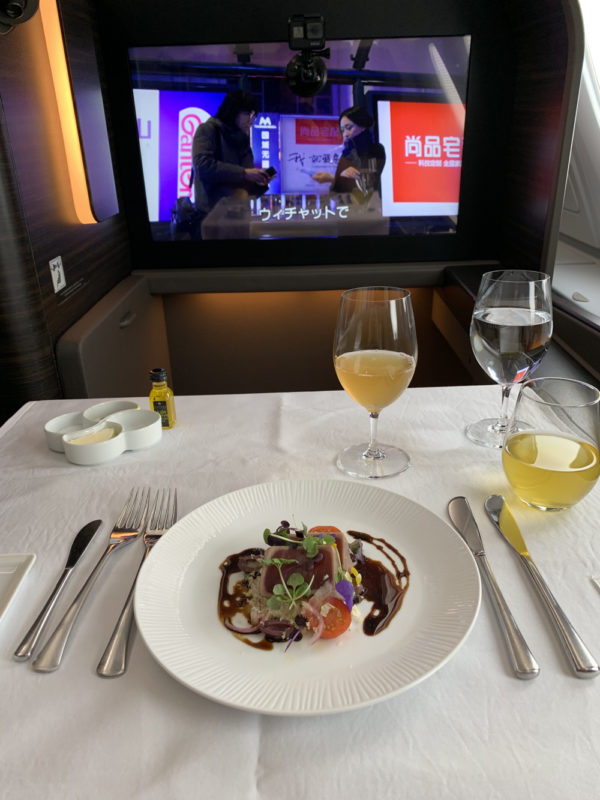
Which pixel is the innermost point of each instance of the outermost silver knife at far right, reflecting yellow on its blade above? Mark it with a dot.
(580, 658)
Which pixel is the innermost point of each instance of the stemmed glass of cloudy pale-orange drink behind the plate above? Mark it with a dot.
(374, 355)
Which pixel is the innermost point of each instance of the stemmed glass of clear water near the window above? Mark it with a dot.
(510, 333)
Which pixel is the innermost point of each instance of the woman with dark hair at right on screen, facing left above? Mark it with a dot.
(360, 152)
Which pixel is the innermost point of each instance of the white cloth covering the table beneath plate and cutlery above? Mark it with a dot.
(469, 731)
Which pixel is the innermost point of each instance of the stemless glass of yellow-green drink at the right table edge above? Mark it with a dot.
(551, 455)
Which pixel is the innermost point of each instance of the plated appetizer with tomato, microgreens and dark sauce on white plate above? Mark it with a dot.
(310, 582)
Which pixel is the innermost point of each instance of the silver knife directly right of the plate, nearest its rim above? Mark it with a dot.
(523, 663)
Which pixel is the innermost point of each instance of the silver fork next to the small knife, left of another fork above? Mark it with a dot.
(129, 524)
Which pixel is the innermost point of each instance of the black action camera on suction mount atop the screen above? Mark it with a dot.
(306, 73)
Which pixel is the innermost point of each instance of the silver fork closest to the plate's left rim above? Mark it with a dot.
(163, 515)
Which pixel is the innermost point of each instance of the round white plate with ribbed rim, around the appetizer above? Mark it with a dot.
(177, 591)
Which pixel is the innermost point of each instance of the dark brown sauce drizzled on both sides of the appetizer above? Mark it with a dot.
(383, 587)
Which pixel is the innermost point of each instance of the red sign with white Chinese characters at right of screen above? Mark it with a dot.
(427, 142)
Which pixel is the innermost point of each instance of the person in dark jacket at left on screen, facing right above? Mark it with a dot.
(222, 155)
